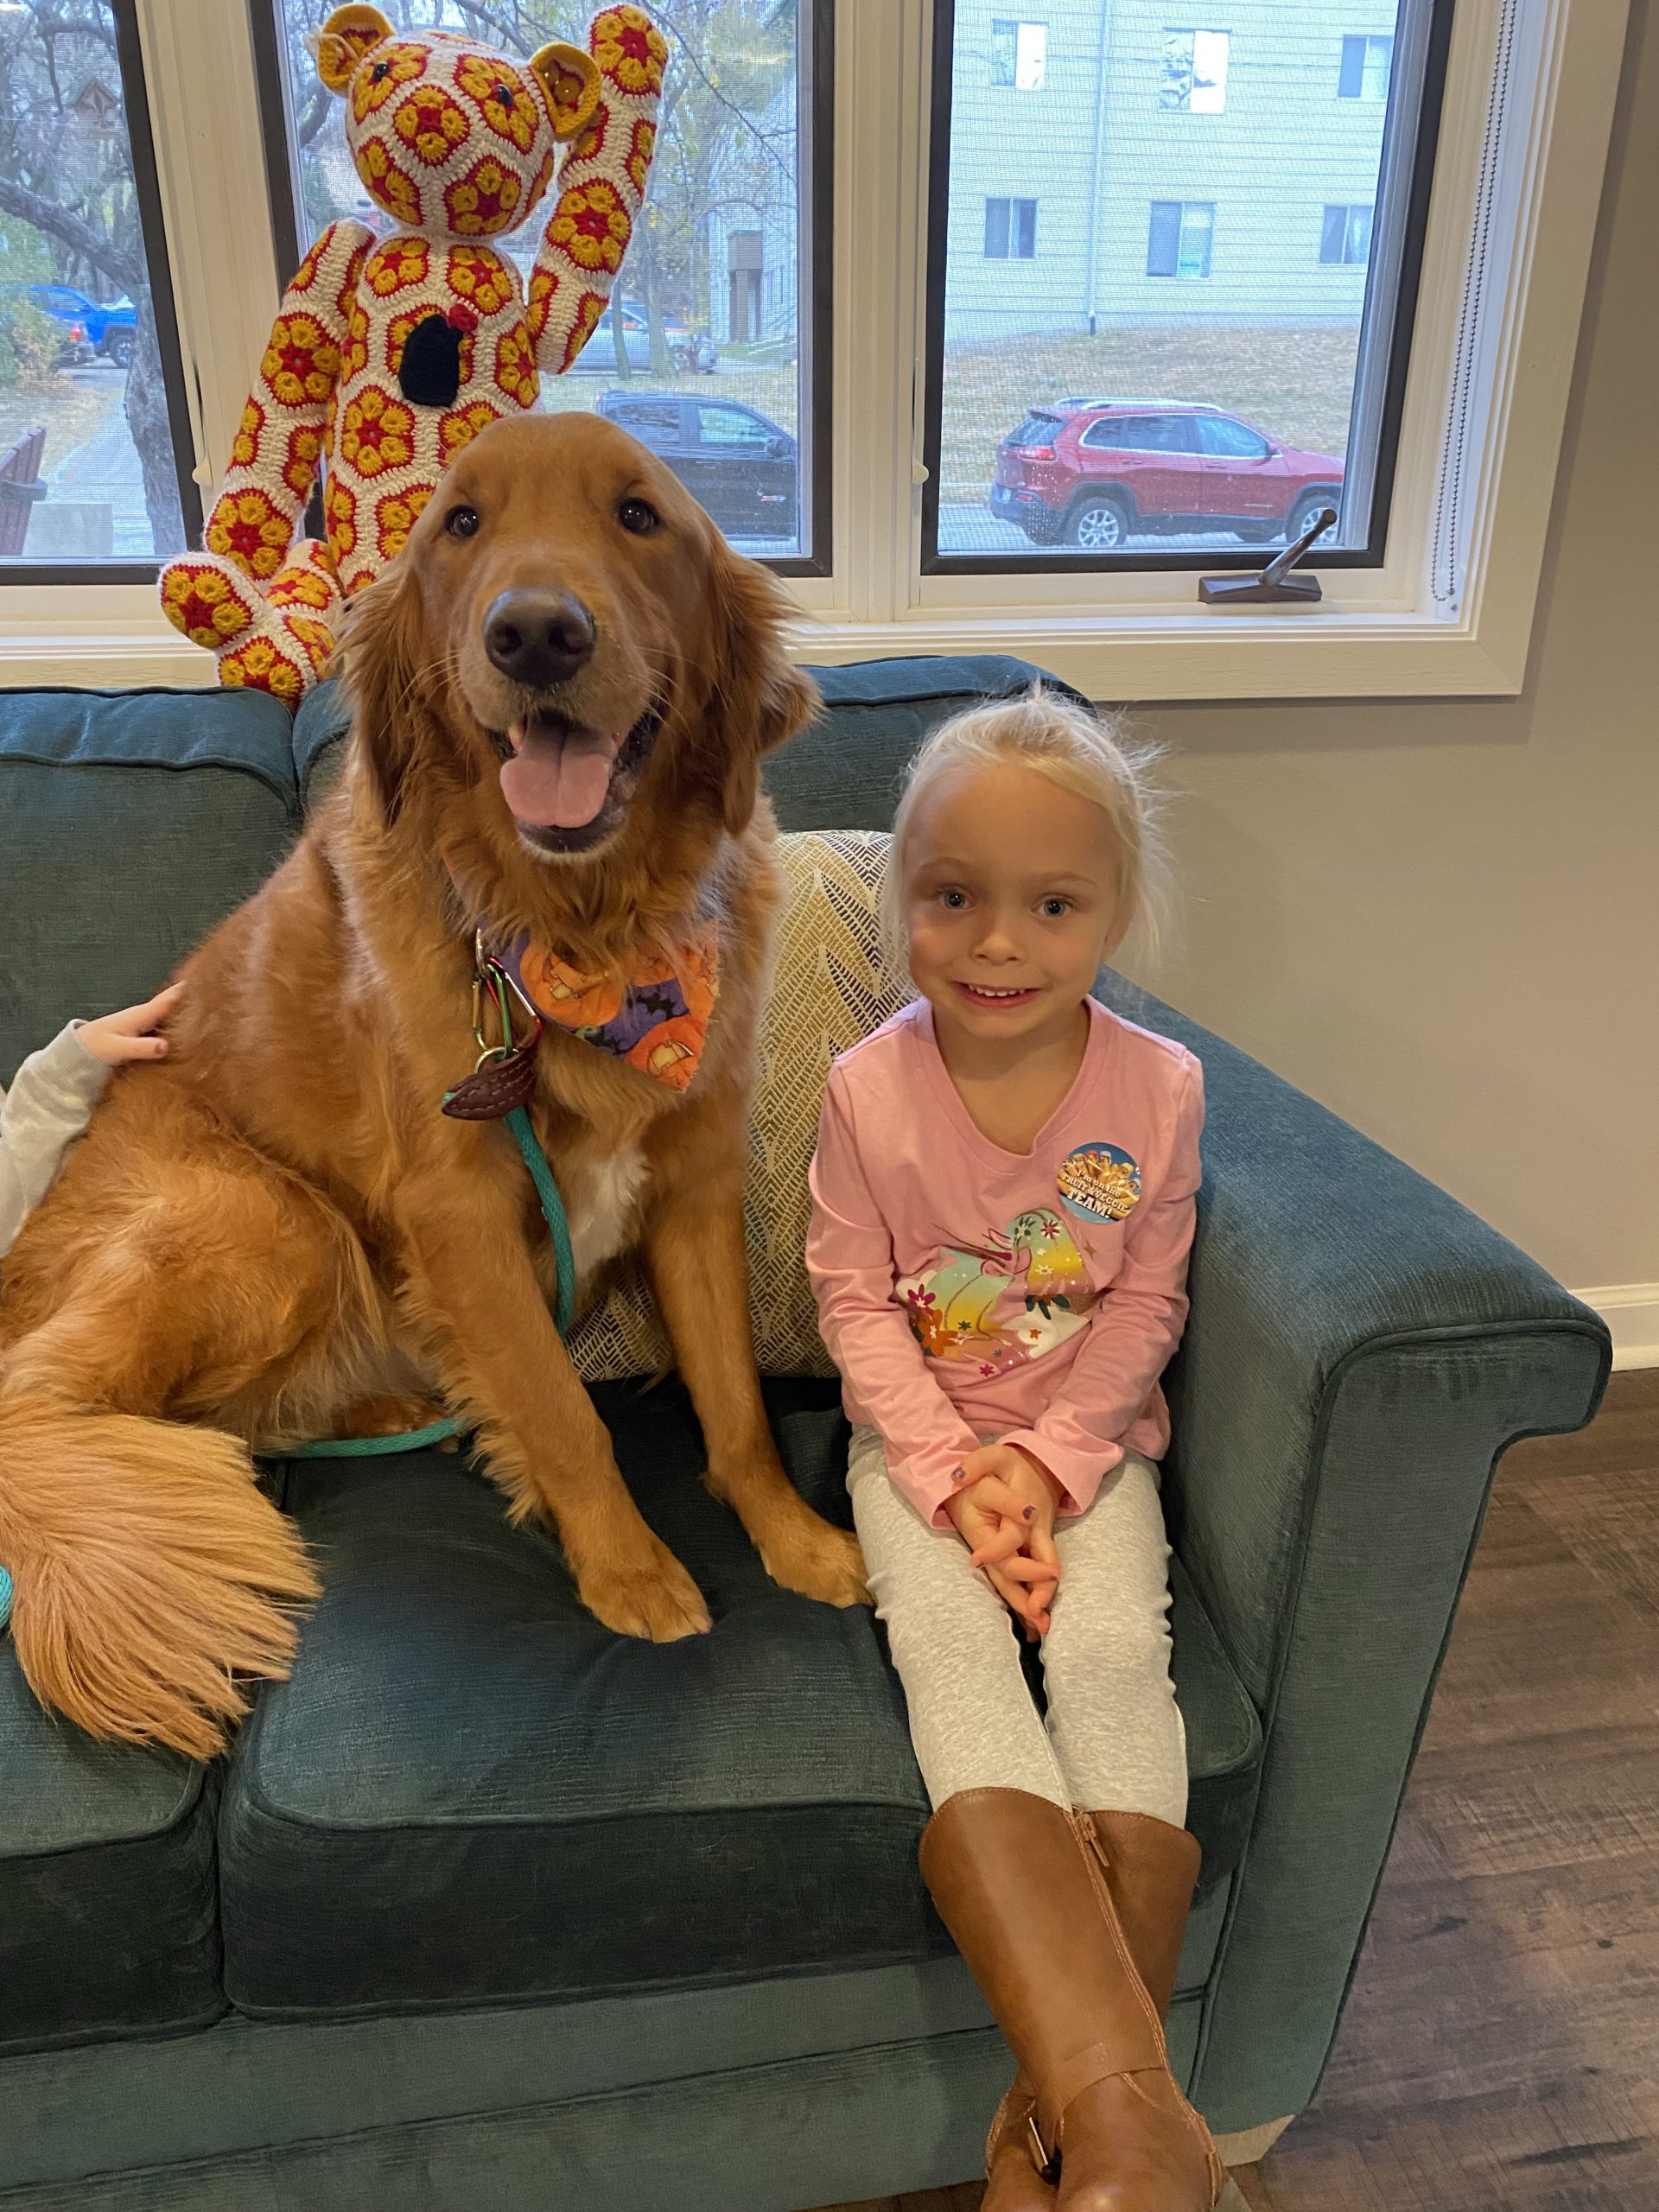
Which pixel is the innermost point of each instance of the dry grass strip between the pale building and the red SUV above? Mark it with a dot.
(1293, 384)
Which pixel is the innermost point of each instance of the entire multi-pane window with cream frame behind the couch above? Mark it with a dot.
(1439, 399)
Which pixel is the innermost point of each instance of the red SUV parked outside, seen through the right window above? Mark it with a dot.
(1094, 474)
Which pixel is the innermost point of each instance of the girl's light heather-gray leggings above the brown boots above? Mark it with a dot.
(1114, 1738)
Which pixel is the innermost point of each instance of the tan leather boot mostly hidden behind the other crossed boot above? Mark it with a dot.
(1151, 1872)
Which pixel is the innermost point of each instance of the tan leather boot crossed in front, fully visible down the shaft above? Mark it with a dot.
(1023, 1892)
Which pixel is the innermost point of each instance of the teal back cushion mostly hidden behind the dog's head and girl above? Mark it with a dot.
(837, 775)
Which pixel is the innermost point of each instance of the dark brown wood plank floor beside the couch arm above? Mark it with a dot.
(1501, 2049)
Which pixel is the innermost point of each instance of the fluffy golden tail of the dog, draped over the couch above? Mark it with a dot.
(152, 1578)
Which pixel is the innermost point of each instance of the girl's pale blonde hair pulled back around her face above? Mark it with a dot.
(1078, 749)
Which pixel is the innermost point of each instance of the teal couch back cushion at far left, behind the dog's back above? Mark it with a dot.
(129, 826)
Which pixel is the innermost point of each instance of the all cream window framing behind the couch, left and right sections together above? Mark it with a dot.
(1439, 618)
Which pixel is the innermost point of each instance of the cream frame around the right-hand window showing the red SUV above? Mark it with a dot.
(1410, 629)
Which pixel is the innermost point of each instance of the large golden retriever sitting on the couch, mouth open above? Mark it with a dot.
(561, 700)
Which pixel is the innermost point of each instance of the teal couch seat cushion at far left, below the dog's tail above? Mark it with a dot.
(107, 1895)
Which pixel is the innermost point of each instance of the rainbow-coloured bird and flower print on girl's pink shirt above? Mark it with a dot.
(1005, 1304)
